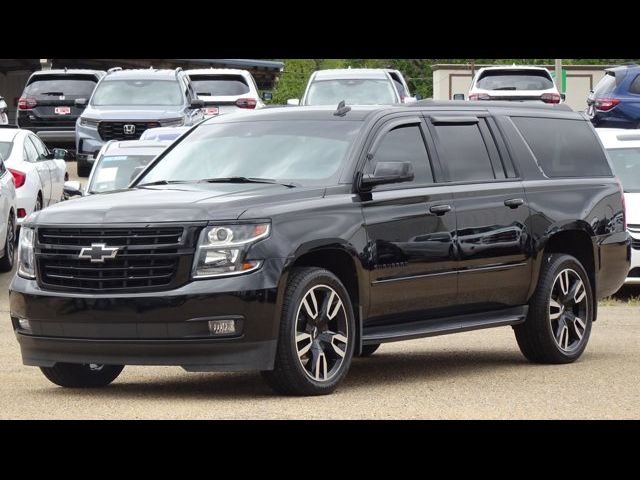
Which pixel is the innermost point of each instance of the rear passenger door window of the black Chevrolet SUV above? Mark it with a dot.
(463, 153)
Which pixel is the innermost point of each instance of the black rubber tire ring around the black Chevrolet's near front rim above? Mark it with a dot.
(312, 278)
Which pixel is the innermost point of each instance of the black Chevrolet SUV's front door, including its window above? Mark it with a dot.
(410, 228)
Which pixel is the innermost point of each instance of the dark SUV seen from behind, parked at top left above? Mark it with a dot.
(48, 104)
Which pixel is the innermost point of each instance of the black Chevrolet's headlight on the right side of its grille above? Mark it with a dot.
(222, 249)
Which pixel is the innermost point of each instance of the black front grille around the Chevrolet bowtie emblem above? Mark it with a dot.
(146, 259)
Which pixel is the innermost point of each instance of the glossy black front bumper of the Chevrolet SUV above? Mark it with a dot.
(152, 328)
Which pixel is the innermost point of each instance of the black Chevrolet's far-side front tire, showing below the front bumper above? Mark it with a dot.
(76, 375)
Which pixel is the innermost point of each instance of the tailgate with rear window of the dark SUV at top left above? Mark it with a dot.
(54, 96)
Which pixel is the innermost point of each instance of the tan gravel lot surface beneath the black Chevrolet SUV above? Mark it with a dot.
(478, 374)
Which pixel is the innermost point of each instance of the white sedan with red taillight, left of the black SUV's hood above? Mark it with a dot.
(39, 173)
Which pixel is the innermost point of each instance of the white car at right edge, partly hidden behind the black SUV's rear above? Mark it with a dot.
(623, 147)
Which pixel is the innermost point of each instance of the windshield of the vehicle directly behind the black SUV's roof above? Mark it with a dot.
(352, 91)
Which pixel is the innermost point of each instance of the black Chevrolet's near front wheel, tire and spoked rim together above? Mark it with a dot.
(317, 334)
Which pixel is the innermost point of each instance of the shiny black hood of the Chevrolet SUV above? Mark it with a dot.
(172, 203)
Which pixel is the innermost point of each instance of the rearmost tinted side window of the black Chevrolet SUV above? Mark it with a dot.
(564, 148)
